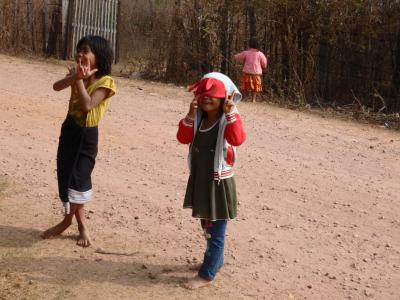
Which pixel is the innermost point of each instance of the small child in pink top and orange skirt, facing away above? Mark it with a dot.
(254, 63)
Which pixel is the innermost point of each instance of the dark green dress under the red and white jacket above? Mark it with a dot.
(208, 198)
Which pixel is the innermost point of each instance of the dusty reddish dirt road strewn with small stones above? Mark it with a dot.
(319, 213)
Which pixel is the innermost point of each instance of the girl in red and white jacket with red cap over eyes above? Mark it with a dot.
(213, 129)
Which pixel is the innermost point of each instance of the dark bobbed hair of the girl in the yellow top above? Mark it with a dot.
(102, 50)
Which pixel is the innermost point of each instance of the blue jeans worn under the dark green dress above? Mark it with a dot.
(214, 254)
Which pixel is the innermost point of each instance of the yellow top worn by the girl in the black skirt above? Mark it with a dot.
(93, 117)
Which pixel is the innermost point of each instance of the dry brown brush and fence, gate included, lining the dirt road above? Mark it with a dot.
(343, 54)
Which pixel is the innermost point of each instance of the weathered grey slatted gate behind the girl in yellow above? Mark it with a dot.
(94, 17)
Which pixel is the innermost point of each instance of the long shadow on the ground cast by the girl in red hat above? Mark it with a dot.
(71, 271)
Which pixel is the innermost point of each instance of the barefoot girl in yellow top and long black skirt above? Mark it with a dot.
(91, 91)
